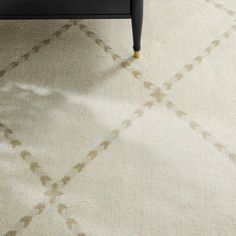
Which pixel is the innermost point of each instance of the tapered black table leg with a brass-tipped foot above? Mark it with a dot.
(137, 23)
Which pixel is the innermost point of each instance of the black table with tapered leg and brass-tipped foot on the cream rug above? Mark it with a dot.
(78, 9)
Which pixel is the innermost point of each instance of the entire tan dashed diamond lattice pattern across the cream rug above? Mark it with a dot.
(157, 97)
